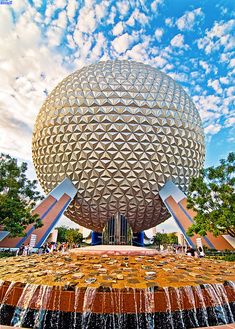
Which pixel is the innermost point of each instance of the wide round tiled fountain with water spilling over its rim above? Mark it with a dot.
(115, 291)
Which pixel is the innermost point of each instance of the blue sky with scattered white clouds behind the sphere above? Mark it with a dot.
(41, 42)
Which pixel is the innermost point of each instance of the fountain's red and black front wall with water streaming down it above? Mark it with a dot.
(39, 307)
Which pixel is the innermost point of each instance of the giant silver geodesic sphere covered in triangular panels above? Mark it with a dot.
(119, 130)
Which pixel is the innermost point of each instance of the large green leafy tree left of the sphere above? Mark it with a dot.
(18, 196)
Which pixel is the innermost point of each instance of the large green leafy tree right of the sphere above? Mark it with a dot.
(212, 196)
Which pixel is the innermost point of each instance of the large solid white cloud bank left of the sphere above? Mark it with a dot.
(28, 68)
